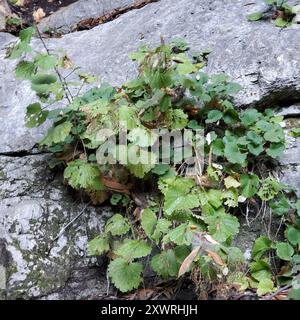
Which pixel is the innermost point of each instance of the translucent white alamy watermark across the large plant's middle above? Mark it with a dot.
(145, 146)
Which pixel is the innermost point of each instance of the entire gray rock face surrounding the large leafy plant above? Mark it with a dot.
(265, 60)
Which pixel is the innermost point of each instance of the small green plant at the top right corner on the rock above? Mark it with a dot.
(282, 13)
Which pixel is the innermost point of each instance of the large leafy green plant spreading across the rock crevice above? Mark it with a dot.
(188, 223)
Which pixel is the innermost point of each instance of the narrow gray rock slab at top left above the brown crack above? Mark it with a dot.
(66, 19)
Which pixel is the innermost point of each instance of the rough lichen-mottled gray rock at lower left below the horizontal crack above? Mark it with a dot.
(34, 208)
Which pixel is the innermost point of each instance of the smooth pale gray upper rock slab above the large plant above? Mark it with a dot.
(262, 58)
